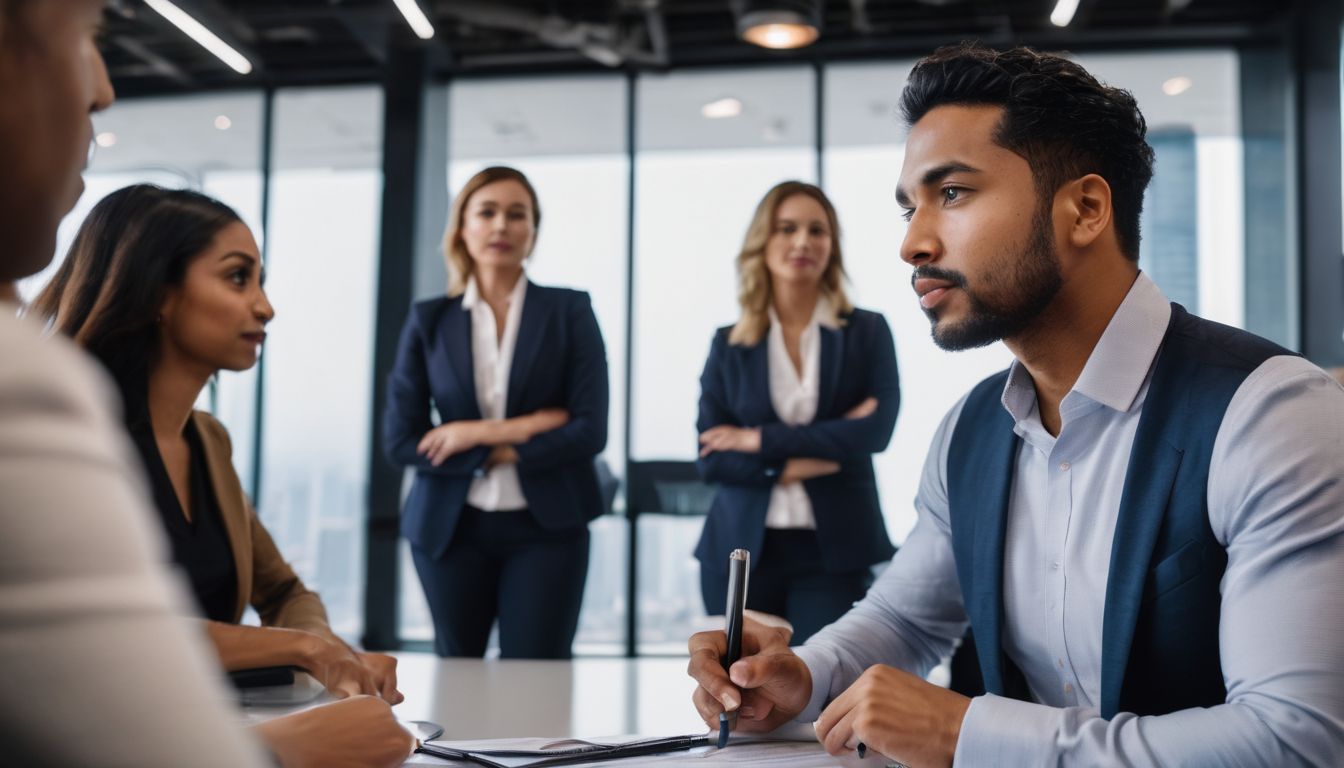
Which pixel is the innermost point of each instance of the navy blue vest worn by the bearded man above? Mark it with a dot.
(1162, 611)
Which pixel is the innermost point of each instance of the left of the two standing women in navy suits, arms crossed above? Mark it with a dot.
(505, 481)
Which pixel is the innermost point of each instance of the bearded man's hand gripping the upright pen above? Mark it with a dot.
(768, 688)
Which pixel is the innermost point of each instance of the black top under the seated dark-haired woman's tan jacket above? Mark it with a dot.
(201, 545)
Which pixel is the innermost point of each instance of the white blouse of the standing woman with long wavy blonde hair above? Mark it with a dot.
(795, 400)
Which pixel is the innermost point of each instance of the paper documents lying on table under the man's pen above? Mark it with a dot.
(790, 747)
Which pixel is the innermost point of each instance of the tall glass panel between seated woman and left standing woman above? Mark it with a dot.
(323, 260)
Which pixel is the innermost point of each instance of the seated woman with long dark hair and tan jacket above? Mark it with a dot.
(165, 287)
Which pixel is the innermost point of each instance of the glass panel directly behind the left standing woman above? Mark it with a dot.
(569, 137)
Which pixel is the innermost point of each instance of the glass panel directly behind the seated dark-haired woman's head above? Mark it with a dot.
(212, 145)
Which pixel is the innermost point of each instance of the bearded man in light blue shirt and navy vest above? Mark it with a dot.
(1142, 520)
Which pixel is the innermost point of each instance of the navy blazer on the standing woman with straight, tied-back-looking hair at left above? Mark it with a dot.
(560, 362)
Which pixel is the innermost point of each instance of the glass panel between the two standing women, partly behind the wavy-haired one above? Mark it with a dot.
(700, 180)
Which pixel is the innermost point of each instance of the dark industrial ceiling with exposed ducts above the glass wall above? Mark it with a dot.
(294, 42)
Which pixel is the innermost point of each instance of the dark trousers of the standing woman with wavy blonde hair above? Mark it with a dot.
(790, 580)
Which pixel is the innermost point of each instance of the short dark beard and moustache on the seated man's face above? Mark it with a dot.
(1010, 298)
